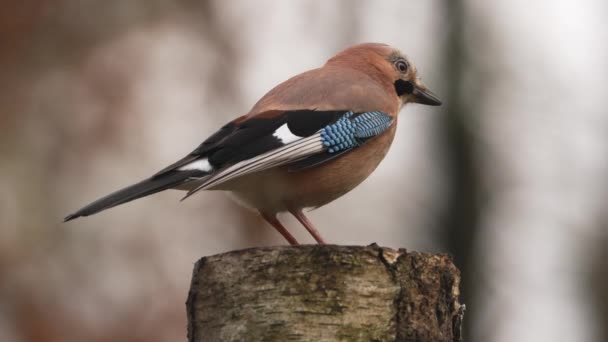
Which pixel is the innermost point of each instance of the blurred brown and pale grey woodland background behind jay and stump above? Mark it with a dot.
(508, 176)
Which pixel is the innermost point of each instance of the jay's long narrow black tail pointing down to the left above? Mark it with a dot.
(144, 188)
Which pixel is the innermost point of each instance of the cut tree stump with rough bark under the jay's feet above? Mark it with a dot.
(324, 293)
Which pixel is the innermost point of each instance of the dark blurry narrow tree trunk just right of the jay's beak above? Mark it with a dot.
(460, 219)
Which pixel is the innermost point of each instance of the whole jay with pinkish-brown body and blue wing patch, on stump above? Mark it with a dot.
(305, 143)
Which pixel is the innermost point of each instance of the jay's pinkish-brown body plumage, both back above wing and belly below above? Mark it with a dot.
(356, 79)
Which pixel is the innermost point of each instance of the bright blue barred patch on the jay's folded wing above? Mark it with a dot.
(352, 130)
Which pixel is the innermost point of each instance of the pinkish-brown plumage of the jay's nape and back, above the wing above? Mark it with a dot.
(354, 79)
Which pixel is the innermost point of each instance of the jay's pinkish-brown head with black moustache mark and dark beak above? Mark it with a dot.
(389, 66)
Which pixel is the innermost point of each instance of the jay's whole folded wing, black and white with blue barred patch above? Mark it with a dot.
(299, 138)
